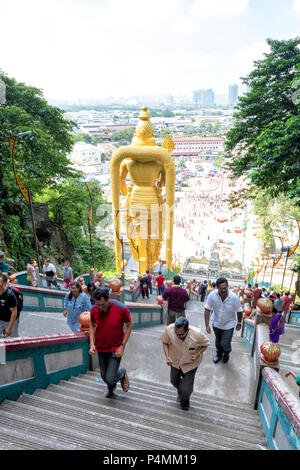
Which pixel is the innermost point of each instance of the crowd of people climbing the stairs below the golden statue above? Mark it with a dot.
(183, 345)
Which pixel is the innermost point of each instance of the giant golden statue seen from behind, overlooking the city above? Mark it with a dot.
(148, 217)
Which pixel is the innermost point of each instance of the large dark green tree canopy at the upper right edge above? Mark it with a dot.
(264, 141)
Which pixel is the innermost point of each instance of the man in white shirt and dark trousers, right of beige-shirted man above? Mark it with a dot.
(226, 309)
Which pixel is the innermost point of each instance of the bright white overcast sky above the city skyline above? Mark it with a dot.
(98, 48)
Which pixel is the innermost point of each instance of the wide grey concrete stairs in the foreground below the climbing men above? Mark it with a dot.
(75, 415)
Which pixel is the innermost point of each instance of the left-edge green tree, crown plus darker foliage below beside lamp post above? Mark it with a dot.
(40, 159)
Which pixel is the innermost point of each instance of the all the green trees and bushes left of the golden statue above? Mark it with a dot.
(42, 165)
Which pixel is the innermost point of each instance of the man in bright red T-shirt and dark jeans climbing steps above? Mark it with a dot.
(108, 338)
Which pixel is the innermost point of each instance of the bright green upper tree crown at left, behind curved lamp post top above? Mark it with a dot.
(41, 157)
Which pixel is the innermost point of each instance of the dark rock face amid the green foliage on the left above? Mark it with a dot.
(50, 235)
